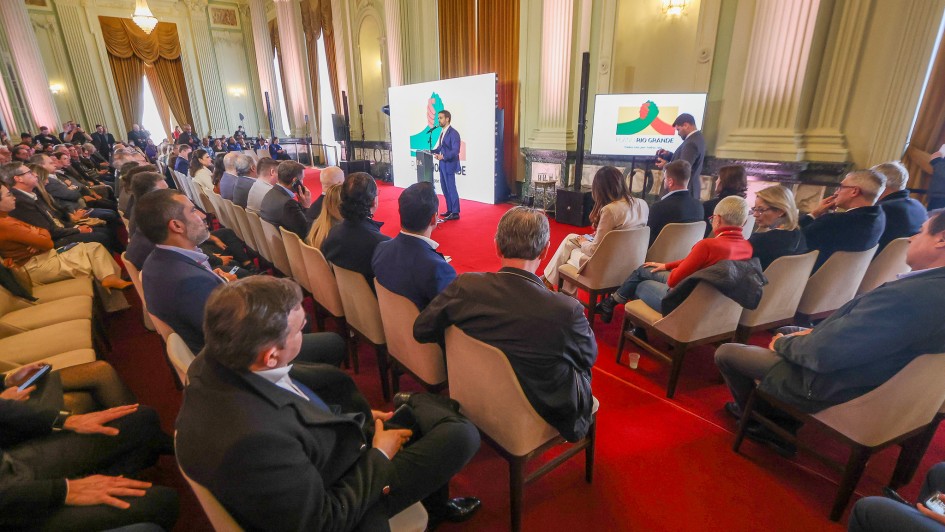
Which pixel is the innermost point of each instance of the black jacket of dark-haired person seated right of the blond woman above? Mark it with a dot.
(351, 245)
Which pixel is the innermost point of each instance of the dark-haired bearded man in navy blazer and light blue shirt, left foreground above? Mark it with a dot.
(177, 278)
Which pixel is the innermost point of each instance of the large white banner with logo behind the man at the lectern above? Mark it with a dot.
(472, 102)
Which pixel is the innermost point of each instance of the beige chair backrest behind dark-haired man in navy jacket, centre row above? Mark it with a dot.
(398, 313)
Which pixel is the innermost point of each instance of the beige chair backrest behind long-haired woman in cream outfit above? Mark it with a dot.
(619, 253)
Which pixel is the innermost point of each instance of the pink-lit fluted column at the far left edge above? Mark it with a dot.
(29, 64)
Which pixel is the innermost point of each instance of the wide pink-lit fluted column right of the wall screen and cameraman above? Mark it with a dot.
(770, 112)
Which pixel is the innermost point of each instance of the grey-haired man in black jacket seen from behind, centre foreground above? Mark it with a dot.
(544, 334)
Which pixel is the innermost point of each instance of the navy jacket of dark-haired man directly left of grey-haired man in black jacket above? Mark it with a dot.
(410, 267)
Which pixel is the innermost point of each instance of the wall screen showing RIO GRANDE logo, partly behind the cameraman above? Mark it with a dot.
(640, 124)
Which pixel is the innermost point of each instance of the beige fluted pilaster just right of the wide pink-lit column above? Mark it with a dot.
(824, 139)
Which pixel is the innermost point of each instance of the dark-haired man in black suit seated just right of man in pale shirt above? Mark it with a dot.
(285, 204)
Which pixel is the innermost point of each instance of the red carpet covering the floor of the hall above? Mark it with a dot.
(660, 464)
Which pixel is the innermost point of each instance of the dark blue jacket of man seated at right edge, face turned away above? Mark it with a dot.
(861, 345)
